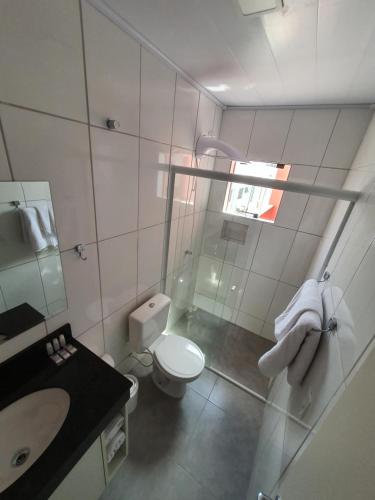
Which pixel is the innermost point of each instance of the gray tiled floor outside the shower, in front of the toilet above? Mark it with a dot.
(201, 447)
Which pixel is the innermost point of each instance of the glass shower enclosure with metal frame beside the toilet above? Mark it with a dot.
(208, 258)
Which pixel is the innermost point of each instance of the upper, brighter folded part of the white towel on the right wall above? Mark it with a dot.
(307, 298)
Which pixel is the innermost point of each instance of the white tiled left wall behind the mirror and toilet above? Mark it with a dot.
(66, 69)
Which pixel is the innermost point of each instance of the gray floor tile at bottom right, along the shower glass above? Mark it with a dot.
(220, 453)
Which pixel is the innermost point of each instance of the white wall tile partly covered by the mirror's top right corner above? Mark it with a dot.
(57, 151)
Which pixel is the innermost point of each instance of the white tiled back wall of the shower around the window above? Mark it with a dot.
(251, 284)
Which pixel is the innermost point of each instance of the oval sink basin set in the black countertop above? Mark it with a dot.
(27, 427)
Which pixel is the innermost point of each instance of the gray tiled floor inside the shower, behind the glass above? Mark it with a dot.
(229, 348)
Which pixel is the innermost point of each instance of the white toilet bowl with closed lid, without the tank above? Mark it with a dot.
(177, 361)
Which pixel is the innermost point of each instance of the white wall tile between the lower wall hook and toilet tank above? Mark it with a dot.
(118, 271)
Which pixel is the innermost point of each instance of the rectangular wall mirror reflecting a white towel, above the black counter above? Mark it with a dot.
(30, 264)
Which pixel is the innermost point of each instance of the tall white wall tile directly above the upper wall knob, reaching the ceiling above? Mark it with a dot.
(113, 72)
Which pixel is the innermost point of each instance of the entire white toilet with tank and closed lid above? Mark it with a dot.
(176, 360)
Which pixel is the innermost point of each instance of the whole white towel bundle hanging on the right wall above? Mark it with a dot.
(298, 335)
